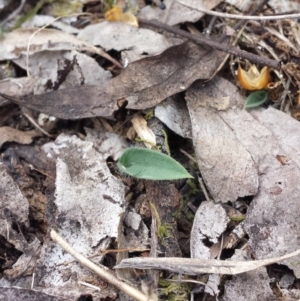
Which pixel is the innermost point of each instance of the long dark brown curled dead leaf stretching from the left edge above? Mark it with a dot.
(144, 84)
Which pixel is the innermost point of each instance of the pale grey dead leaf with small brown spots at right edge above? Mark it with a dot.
(273, 218)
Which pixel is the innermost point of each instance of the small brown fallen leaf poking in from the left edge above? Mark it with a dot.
(8, 134)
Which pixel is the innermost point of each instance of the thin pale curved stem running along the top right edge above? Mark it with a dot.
(242, 17)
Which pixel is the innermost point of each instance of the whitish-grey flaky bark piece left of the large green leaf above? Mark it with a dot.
(86, 192)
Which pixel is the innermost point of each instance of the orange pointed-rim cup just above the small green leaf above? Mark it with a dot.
(253, 79)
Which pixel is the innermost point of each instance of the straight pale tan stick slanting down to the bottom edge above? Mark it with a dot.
(129, 290)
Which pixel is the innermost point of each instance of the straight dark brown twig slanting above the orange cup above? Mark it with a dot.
(213, 44)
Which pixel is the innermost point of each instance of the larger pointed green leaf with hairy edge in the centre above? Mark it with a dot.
(143, 163)
